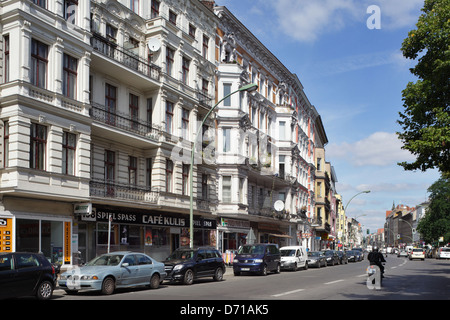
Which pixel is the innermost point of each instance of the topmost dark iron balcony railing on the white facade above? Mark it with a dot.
(125, 57)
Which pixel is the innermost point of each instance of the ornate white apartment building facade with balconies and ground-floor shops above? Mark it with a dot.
(101, 102)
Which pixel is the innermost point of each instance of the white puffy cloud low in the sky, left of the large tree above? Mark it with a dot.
(379, 149)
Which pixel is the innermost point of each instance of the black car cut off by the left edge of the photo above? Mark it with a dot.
(26, 274)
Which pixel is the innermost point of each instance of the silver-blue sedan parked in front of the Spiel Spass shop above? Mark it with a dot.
(121, 269)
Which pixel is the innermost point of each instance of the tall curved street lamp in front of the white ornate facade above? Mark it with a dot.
(249, 88)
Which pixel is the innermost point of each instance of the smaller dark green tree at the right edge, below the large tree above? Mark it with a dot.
(436, 222)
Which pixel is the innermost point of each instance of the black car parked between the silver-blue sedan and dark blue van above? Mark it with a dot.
(186, 264)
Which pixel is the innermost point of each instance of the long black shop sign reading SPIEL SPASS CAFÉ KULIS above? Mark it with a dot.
(165, 220)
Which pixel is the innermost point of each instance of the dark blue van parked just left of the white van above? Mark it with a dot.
(257, 258)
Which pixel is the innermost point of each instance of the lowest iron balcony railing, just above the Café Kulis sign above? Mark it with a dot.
(114, 190)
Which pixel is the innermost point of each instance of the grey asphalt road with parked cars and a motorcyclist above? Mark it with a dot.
(404, 280)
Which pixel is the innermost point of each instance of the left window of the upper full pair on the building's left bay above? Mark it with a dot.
(39, 54)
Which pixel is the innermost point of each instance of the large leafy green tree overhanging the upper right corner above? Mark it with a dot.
(426, 117)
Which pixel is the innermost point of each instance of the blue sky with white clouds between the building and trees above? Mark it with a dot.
(354, 76)
